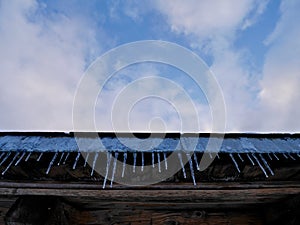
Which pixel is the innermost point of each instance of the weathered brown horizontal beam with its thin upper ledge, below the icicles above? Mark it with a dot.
(211, 194)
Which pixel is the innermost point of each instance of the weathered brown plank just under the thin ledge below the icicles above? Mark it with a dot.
(251, 196)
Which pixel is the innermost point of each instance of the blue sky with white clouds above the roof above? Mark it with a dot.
(252, 48)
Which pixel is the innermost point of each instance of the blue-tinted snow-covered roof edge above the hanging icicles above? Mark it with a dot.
(232, 143)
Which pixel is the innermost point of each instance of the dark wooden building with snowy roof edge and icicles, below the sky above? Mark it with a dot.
(46, 179)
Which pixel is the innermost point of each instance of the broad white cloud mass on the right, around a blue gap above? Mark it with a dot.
(269, 104)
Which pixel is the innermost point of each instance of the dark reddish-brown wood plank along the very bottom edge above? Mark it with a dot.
(167, 217)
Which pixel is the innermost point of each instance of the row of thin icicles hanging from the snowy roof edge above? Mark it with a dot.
(253, 158)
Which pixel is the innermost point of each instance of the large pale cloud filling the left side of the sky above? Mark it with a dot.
(42, 58)
